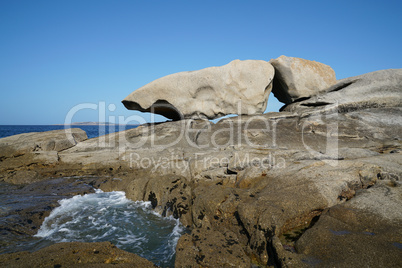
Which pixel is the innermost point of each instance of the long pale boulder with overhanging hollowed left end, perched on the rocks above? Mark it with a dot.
(240, 87)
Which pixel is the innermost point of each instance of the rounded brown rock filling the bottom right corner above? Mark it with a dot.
(353, 231)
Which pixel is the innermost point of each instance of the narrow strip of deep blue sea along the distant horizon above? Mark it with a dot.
(91, 130)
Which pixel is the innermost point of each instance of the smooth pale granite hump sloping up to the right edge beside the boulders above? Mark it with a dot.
(372, 90)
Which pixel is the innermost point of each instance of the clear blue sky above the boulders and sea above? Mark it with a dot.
(55, 55)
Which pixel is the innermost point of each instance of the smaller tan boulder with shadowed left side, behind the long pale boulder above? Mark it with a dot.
(297, 78)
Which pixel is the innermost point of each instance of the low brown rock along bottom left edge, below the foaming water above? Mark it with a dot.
(75, 254)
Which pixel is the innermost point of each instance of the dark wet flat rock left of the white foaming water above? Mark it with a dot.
(24, 208)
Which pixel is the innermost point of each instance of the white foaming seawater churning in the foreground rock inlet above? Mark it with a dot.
(110, 216)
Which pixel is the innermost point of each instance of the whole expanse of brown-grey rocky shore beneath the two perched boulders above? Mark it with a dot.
(317, 184)
